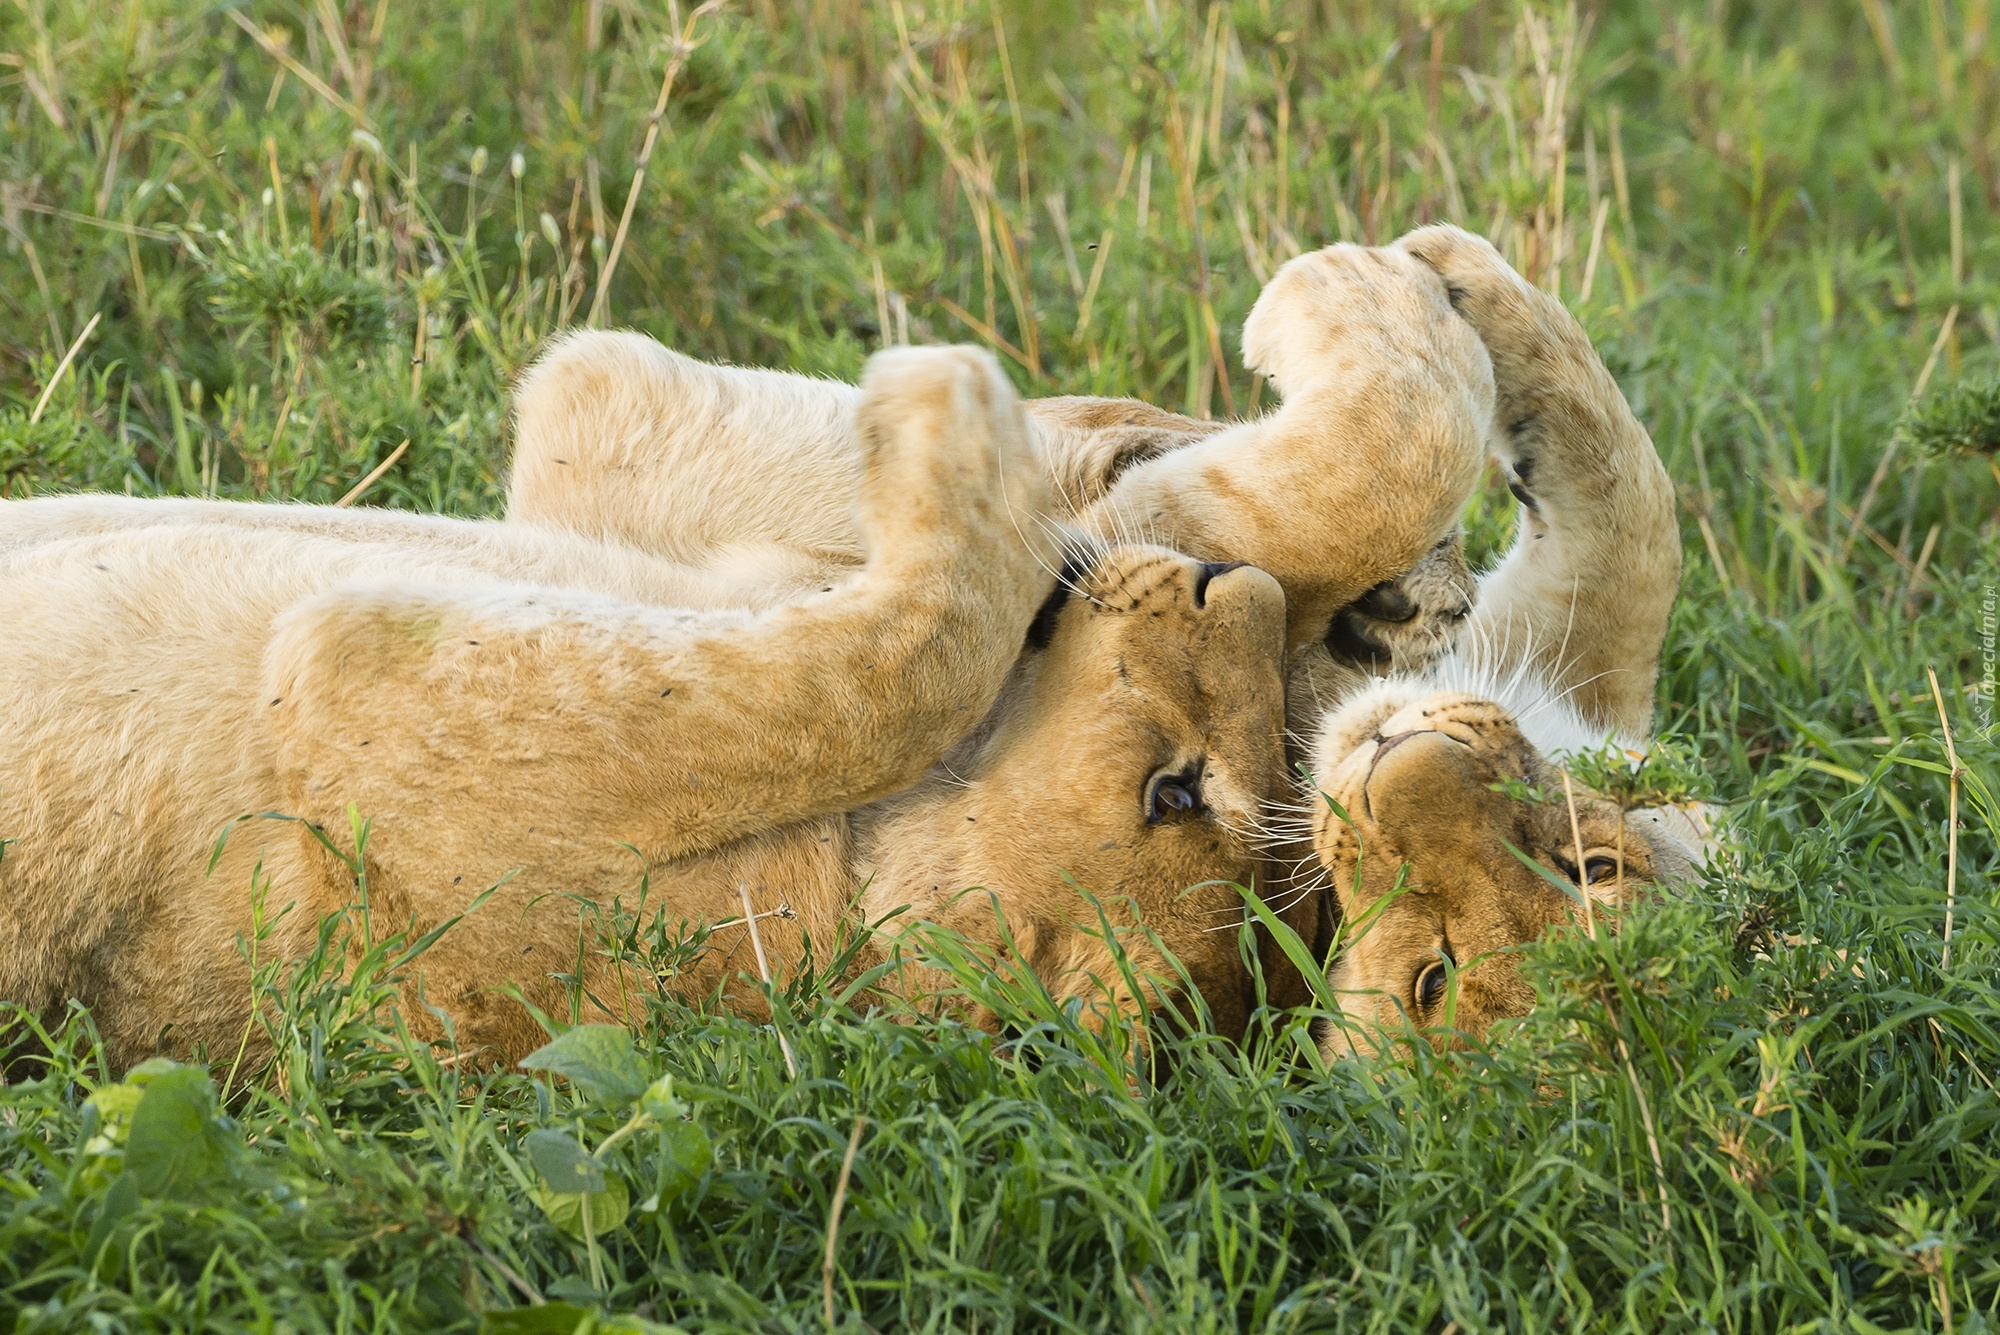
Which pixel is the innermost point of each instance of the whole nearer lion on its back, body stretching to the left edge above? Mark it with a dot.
(531, 706)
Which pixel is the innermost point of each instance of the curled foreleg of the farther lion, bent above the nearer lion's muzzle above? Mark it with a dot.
(1367, 465)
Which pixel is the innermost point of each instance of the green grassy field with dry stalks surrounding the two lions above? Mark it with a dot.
(253, 249)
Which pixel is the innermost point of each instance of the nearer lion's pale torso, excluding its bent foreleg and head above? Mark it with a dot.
(133, 736)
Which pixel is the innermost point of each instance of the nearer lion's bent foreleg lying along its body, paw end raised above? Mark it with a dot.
(675, 730)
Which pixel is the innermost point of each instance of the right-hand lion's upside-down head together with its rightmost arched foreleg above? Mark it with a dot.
(1433, 778)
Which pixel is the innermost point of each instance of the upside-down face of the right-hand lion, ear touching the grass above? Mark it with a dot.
(1445, 796)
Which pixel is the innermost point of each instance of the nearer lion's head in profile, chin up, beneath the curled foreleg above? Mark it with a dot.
(1131, 756)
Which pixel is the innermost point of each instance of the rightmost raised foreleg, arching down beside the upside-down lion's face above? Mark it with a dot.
(1585, 595)
